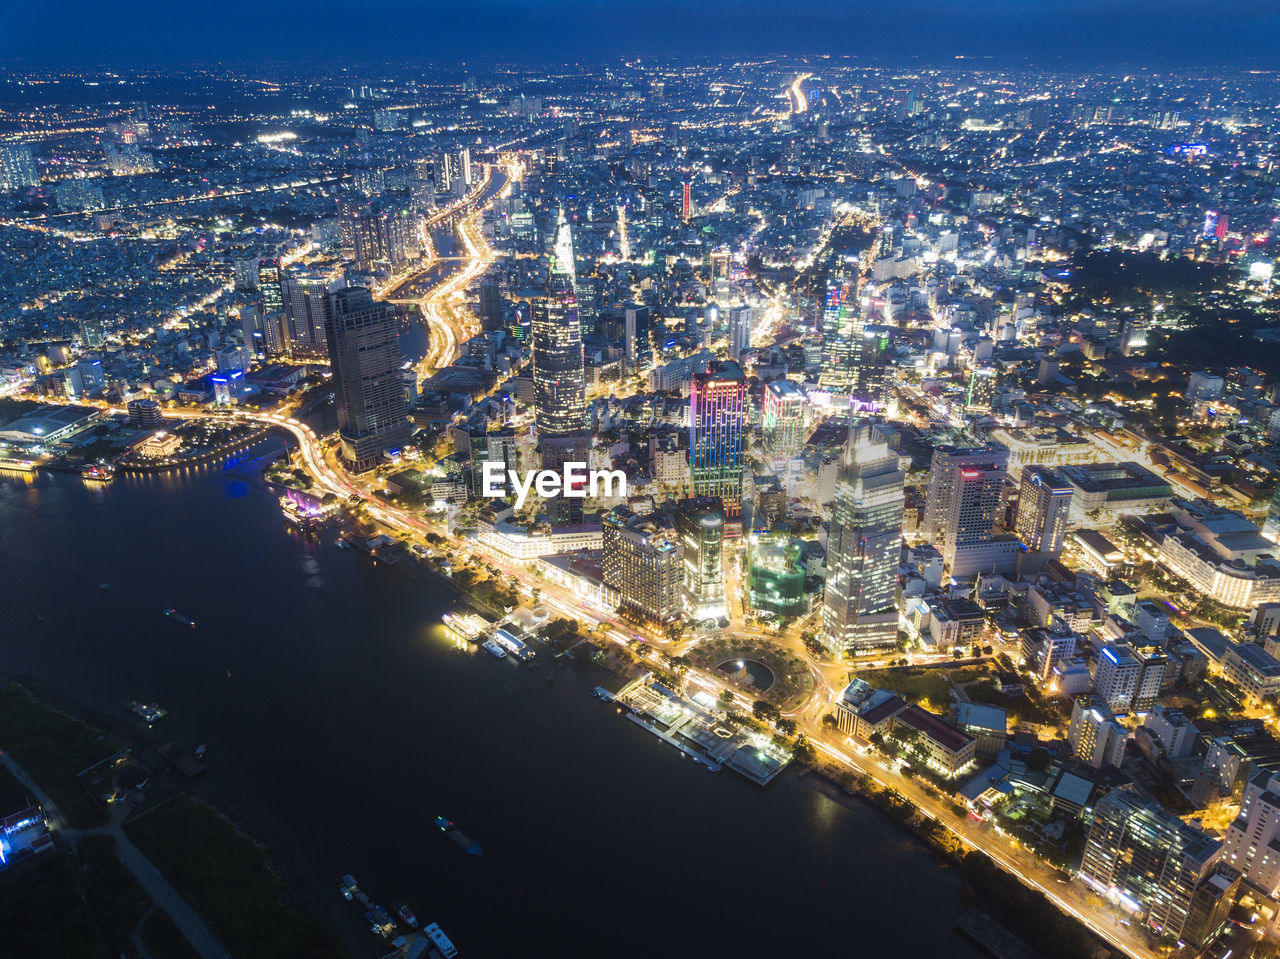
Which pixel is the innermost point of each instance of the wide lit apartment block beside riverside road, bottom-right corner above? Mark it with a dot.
(1148, 860)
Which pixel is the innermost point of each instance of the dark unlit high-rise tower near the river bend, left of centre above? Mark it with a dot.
(365, 357)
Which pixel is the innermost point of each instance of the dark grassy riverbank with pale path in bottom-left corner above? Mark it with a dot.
(218, 867)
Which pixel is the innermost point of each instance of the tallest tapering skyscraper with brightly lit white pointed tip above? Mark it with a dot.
(560, 385)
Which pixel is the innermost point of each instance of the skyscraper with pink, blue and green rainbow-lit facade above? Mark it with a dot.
(717, 419)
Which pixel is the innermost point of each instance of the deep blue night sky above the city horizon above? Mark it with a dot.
(1165, 34)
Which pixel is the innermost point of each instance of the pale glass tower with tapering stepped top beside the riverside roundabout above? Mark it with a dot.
(865, 547)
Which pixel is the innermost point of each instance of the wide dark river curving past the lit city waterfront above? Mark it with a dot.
(341, 723)
